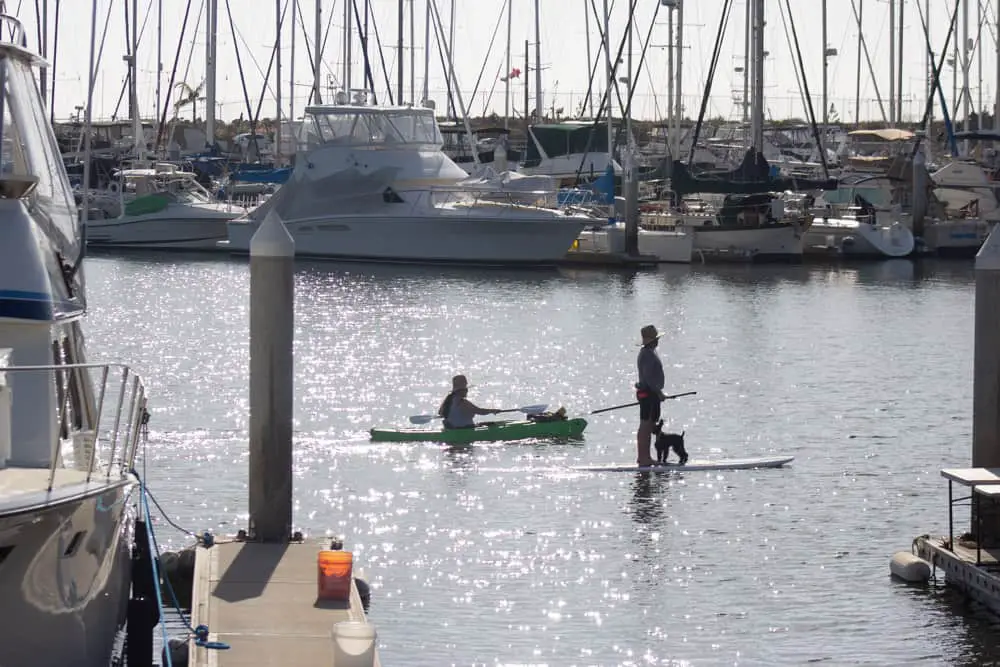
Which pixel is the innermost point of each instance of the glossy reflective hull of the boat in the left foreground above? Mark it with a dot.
(64, 578)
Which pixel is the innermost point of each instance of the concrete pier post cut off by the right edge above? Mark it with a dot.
(986, 376)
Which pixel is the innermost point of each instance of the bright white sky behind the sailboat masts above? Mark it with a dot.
(563, 53)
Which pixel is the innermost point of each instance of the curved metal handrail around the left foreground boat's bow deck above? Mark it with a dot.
(124, 438)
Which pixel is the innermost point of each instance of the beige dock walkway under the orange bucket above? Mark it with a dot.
(260, 599)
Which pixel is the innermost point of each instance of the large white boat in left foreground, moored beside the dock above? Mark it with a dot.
(68, 428)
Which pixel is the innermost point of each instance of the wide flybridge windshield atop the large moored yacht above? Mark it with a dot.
(373, 127)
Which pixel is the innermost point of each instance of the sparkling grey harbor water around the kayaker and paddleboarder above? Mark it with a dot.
(500, 554)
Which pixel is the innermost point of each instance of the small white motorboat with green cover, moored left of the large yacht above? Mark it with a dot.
(160, 207)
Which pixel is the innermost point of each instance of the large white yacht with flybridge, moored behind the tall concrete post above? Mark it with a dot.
(375, 185)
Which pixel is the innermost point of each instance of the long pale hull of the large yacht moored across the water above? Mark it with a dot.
(445, 238)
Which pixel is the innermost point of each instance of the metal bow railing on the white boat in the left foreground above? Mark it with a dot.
(102, 417)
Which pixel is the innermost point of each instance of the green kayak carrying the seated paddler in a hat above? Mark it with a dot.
(490, 432)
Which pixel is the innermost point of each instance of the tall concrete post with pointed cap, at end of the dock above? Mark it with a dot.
(272, 323)
